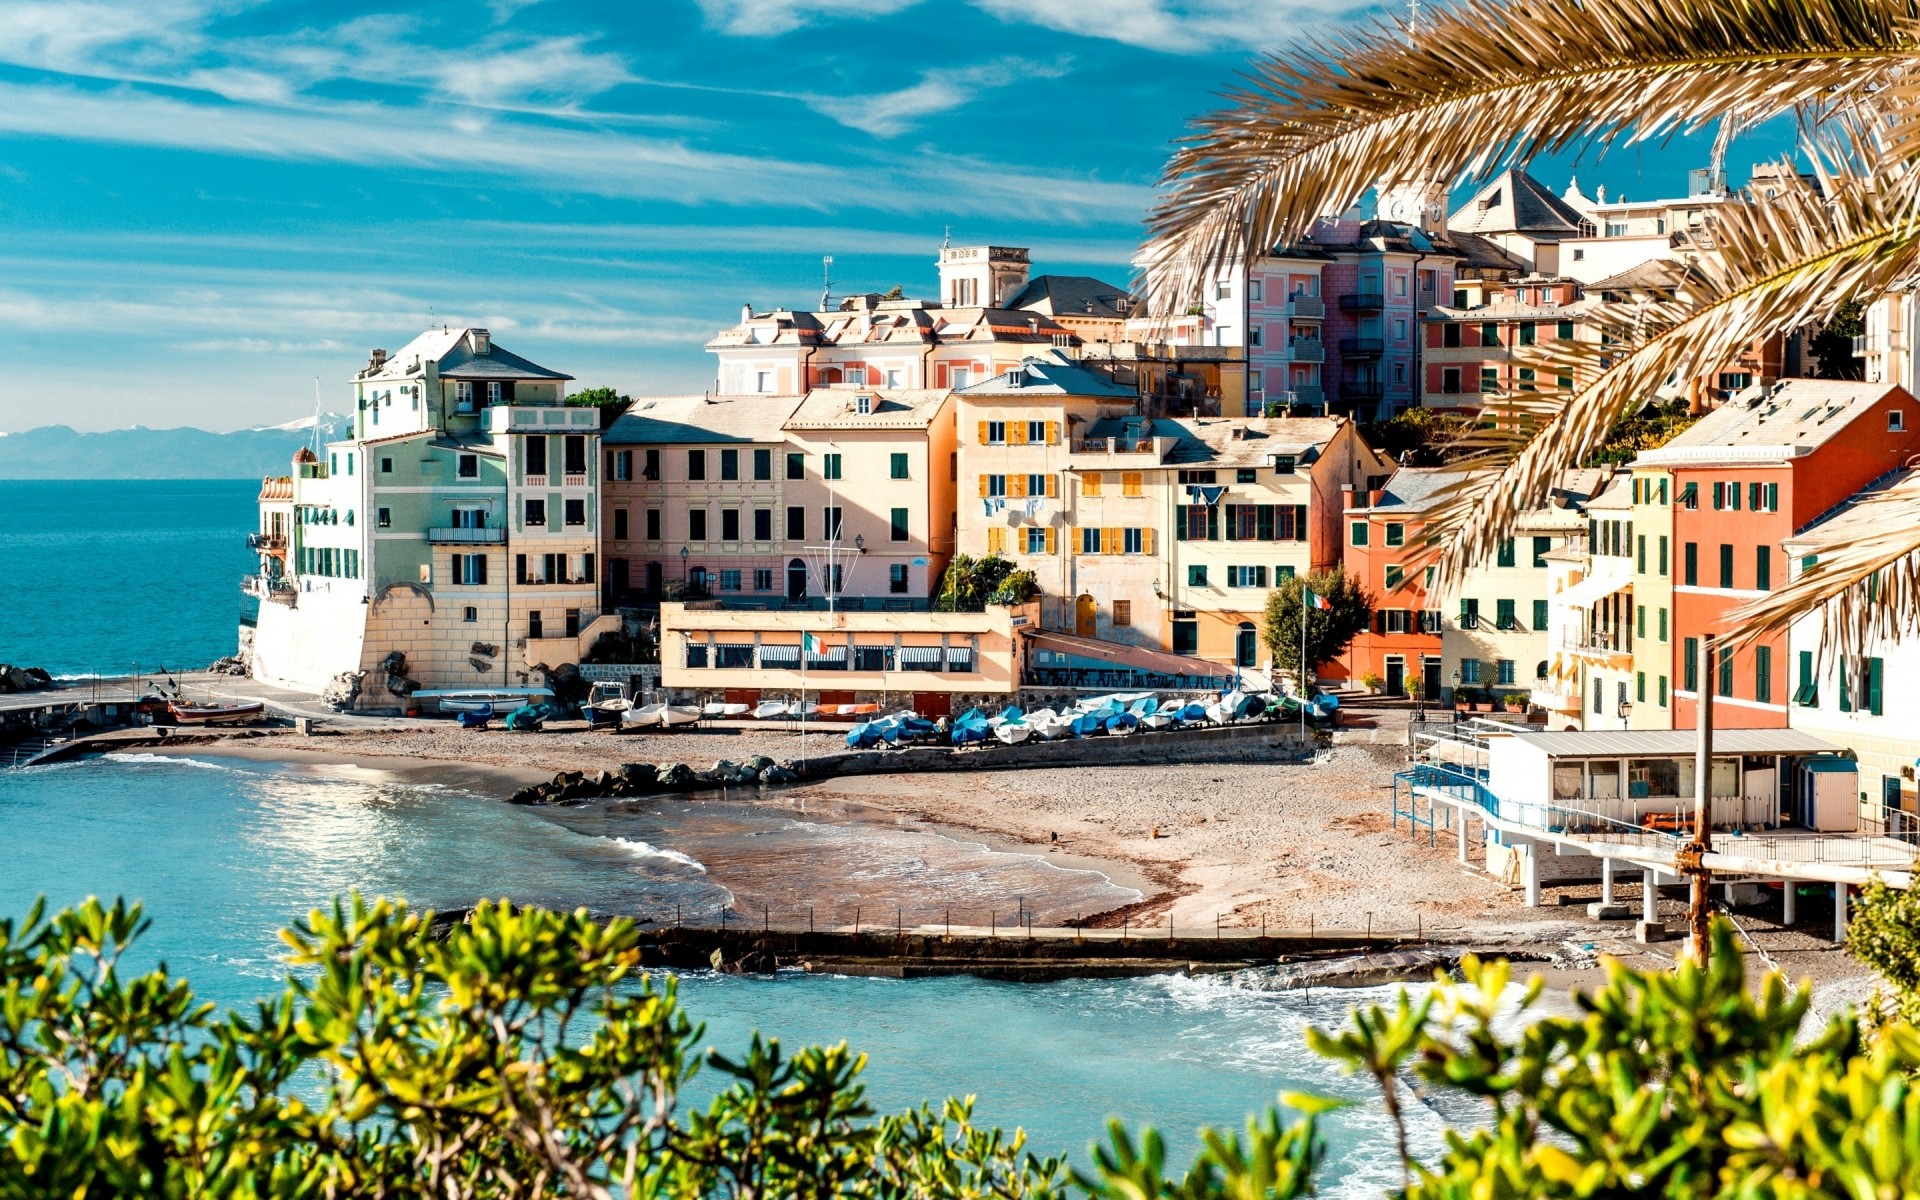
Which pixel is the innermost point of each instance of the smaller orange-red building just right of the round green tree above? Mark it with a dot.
(1385, 550)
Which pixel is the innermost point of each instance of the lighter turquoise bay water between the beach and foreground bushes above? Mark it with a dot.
(228, 852)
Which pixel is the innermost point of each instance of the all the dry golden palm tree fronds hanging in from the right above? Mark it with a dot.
(1493, 84)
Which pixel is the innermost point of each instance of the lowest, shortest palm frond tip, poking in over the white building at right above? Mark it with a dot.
(1863, 583)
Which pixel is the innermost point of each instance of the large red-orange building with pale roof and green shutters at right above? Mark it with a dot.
(1746, 477)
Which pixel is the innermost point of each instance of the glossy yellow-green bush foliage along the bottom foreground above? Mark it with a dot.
(521, 1053)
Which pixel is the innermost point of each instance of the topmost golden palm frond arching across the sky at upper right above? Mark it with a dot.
(1491, 82)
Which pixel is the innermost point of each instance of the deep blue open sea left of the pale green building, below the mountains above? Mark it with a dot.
(101, 575)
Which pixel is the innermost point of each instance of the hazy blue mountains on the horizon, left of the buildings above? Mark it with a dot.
(57, 452)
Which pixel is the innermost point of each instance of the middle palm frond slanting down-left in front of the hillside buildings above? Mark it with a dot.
(1783, 262)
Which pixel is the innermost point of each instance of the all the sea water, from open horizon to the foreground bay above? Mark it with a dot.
(226, 852)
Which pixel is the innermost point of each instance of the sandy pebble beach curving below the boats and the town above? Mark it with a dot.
(1247, 846)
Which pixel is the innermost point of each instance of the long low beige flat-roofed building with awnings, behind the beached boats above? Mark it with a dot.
(924, 661)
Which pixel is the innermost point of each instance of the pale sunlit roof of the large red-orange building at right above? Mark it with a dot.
(1794, 416)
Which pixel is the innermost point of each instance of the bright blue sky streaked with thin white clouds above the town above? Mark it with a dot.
(206, 204)
